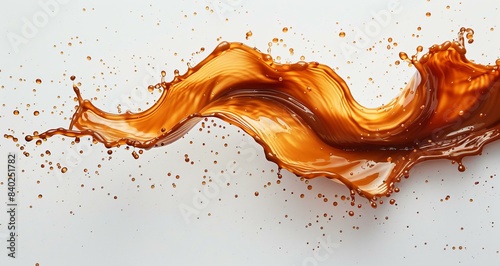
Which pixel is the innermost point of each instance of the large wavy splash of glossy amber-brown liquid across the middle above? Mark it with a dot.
(307, 121)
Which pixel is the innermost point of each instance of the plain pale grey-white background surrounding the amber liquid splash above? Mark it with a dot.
(78, 222)
